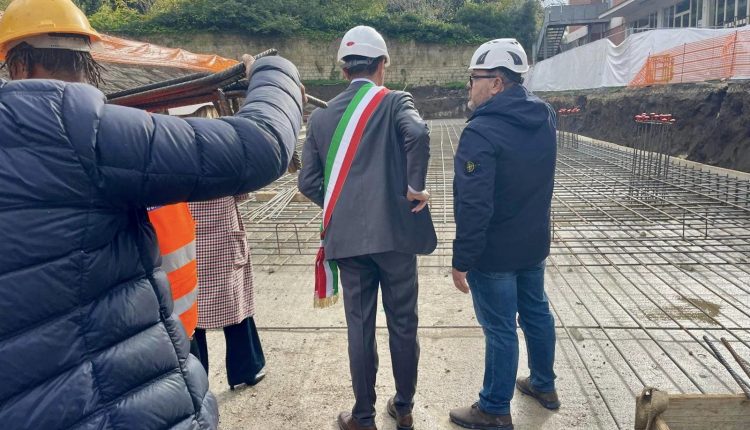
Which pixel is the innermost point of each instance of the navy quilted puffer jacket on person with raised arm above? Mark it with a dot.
(88, 339)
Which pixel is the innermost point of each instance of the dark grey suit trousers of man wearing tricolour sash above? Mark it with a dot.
(396, 273)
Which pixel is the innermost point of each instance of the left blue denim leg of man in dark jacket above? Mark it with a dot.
(494, 296)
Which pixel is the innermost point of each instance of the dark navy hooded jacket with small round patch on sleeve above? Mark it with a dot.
(504, 176)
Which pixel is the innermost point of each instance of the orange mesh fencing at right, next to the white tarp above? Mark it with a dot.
(717, 58)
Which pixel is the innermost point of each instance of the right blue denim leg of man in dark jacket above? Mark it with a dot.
(538, 327)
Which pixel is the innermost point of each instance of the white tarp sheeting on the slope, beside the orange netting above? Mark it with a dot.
(604, 64)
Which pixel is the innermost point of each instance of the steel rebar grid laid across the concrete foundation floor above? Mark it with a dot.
(641, 266)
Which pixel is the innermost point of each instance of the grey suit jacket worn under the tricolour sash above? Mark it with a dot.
(372, 214)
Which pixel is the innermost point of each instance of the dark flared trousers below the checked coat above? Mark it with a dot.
(244, 353)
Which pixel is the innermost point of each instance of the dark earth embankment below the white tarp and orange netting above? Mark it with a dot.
(712, 124)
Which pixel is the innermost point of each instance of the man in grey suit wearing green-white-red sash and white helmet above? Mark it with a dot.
(365, 162)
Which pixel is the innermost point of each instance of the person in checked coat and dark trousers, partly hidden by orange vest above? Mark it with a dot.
(225, 288)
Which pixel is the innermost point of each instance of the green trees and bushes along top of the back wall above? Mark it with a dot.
(439, 21)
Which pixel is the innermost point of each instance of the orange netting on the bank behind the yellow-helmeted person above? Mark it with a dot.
(123, 51)
